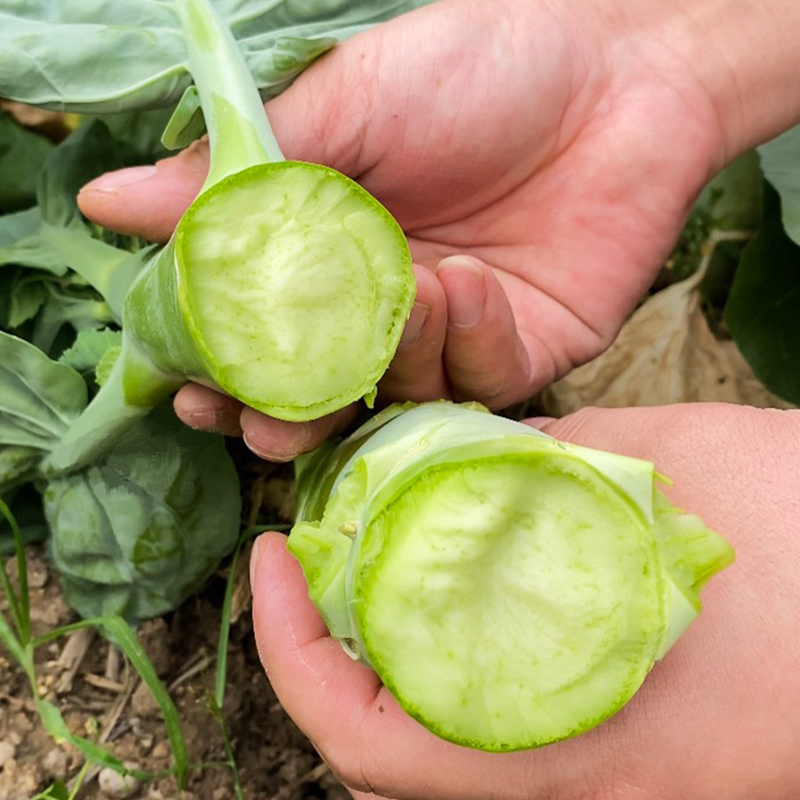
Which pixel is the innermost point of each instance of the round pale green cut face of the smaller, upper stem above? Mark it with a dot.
(292, 277)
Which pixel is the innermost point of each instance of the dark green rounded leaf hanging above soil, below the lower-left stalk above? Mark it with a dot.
(142, 529)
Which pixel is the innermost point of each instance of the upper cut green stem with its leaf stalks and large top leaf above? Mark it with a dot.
(285, 284)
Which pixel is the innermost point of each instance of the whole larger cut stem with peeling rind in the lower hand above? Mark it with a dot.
(509, 589)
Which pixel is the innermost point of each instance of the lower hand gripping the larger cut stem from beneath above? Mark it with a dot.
(718, 717)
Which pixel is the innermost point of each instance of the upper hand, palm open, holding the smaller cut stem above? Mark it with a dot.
(542, 163)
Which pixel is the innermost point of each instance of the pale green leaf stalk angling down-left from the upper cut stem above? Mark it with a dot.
(134, 387)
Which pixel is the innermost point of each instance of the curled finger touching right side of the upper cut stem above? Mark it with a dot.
(416, 372)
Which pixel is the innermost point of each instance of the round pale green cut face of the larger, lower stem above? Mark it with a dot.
(505, 616)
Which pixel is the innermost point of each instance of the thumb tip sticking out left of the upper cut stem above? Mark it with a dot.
(147, 201)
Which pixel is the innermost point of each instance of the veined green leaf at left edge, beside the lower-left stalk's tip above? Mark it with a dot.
(39, 398)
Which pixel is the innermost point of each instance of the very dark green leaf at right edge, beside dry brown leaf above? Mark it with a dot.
(761, 311)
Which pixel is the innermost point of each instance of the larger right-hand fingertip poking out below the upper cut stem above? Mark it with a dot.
(278, 440)
